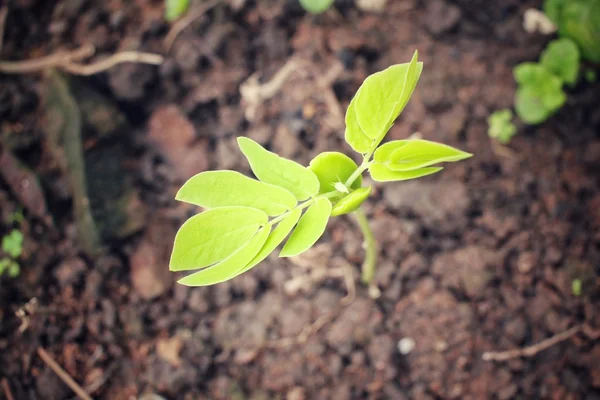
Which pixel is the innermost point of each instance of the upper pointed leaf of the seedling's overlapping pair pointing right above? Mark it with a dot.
(416, 154)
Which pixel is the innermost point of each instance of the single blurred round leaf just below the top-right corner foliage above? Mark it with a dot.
(561, 57)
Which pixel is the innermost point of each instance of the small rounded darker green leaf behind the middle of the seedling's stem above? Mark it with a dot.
(331, 167)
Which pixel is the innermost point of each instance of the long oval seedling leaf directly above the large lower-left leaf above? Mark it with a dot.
(229, 188)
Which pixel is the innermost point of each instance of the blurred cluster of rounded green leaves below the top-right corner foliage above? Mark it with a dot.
(540, 85)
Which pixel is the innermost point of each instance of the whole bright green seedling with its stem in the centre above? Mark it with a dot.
(246, 219)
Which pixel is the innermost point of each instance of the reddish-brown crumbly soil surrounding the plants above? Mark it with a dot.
(480, 257)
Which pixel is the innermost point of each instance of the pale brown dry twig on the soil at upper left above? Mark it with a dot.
(70, 61)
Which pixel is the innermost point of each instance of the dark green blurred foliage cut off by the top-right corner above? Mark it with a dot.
(578, 20)
